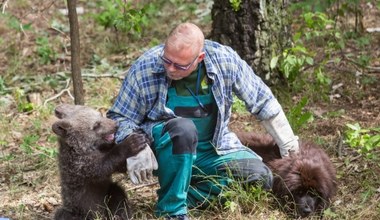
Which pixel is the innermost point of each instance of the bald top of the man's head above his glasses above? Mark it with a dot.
(185, 36)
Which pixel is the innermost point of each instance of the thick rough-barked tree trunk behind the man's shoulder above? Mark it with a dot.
(257, 31)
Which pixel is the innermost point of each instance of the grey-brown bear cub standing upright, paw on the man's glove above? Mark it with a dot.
(87, 158)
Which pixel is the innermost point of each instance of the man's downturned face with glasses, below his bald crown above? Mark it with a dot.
(180, 63)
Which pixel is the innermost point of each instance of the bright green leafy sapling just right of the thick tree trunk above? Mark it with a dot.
(297, 59)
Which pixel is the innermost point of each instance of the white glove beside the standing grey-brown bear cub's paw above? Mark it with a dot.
(140, 167)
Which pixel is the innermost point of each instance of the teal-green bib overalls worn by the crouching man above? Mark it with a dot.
(191, 180)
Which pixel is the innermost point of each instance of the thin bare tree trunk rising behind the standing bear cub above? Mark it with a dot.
(75, 53)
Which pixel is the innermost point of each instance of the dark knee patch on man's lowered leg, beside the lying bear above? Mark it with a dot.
(250, 171)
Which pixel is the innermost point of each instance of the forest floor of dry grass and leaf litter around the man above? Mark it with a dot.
(29, 184)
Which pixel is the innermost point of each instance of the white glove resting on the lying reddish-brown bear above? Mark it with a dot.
(279, 128)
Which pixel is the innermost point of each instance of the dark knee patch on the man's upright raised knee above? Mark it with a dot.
(183, 134)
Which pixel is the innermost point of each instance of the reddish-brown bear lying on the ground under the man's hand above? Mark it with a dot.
(306, 179)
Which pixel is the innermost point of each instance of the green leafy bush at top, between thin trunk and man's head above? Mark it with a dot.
(123, 16)
